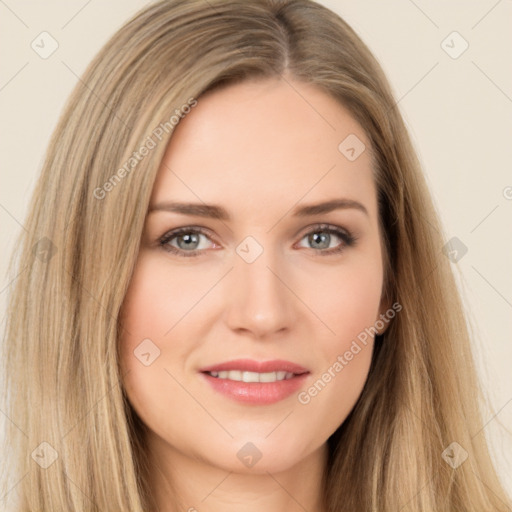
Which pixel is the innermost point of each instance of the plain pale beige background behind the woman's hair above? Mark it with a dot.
(458, 110)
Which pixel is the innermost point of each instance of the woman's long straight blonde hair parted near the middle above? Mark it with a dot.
(76, 258)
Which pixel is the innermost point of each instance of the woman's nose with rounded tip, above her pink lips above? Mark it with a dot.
(260, 300)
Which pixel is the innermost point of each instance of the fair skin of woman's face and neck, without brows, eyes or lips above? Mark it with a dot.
(259, 149)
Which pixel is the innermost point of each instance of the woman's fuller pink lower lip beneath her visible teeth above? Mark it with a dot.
(258, 393)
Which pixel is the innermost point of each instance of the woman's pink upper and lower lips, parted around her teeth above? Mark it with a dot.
(256, 393)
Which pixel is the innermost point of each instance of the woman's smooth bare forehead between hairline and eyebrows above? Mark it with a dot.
(266, 143)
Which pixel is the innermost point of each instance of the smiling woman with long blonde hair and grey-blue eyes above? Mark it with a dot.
(309, 353)
